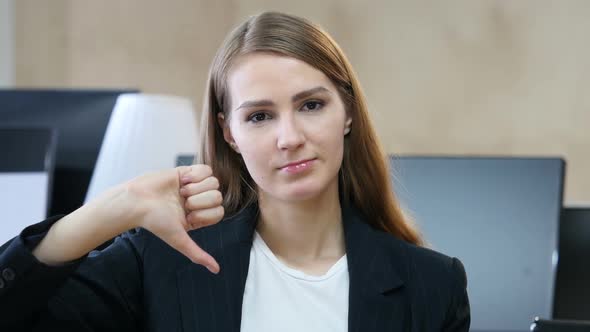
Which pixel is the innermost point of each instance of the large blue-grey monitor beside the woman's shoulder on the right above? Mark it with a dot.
(500, 217)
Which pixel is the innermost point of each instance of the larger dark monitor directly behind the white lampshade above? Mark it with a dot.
(80, 118)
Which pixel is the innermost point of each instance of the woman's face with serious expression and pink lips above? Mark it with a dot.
(288, 122)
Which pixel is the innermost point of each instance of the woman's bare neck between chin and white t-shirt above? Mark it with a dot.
(304, 231)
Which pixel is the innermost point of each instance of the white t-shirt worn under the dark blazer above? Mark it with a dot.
(279, 298)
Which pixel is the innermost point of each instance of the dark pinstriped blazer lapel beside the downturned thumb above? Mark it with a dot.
(214, 302)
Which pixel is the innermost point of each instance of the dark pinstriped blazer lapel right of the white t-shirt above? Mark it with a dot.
(376, 295)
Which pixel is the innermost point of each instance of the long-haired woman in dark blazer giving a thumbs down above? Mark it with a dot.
(289, 217)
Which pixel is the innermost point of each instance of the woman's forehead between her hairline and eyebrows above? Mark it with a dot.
(271, 76)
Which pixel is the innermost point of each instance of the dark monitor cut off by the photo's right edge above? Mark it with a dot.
(572, 287)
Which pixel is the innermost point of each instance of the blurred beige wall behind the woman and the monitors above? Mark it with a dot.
(452, 77)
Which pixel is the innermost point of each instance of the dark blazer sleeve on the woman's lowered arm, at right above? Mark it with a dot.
(459, 316)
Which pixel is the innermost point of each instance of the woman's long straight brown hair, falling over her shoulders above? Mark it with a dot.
(363, 178)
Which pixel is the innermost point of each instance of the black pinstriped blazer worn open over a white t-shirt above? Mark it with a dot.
(141, 284)
